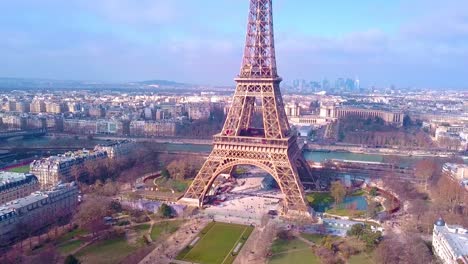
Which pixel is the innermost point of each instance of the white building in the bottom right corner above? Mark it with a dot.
(450, 243)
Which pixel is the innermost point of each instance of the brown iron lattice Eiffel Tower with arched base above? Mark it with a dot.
(272, 148)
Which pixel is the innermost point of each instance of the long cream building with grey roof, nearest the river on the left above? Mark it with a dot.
(55, 169)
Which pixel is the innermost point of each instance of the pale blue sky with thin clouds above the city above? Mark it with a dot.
(418, 43)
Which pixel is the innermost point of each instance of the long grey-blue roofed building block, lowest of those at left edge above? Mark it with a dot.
(36, 211)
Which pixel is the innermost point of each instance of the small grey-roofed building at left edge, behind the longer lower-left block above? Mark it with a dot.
(16, 185)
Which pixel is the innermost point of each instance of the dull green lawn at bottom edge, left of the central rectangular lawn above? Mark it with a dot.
(107, 251)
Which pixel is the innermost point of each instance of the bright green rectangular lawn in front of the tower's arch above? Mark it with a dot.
(217, 241)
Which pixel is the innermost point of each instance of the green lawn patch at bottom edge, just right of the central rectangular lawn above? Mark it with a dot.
(292, 251)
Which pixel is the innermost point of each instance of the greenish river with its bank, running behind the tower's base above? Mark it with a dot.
(316, 153)
